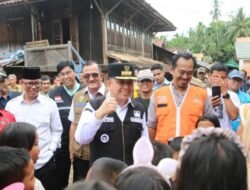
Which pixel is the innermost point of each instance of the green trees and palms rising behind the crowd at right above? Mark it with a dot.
(215, 41)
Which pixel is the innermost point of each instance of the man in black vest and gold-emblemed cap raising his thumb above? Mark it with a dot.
(112, 125)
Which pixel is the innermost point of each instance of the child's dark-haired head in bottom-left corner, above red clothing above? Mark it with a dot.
(16, 166)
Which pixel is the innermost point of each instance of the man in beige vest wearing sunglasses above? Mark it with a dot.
(79, 154)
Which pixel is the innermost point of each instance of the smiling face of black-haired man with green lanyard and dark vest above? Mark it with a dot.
(67, 76)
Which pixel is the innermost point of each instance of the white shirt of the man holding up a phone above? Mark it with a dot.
(221, 112)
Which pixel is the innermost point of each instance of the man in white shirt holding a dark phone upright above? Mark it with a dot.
(226, 106)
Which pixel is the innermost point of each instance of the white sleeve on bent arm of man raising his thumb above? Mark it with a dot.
(87, 126)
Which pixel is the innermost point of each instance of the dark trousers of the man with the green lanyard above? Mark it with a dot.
(62, 168)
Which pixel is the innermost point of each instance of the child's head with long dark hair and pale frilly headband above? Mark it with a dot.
(212, 158)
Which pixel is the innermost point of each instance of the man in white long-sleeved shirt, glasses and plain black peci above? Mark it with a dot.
(42, 112)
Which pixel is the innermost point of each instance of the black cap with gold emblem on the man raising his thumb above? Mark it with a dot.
(122, 71)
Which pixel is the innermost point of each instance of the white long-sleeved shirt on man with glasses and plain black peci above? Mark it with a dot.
(44, 115)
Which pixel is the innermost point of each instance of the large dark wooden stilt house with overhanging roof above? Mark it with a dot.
(101, 30)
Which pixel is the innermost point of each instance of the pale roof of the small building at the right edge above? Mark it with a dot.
(242, 47)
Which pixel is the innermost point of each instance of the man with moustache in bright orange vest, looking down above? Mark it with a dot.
(174, 109)
